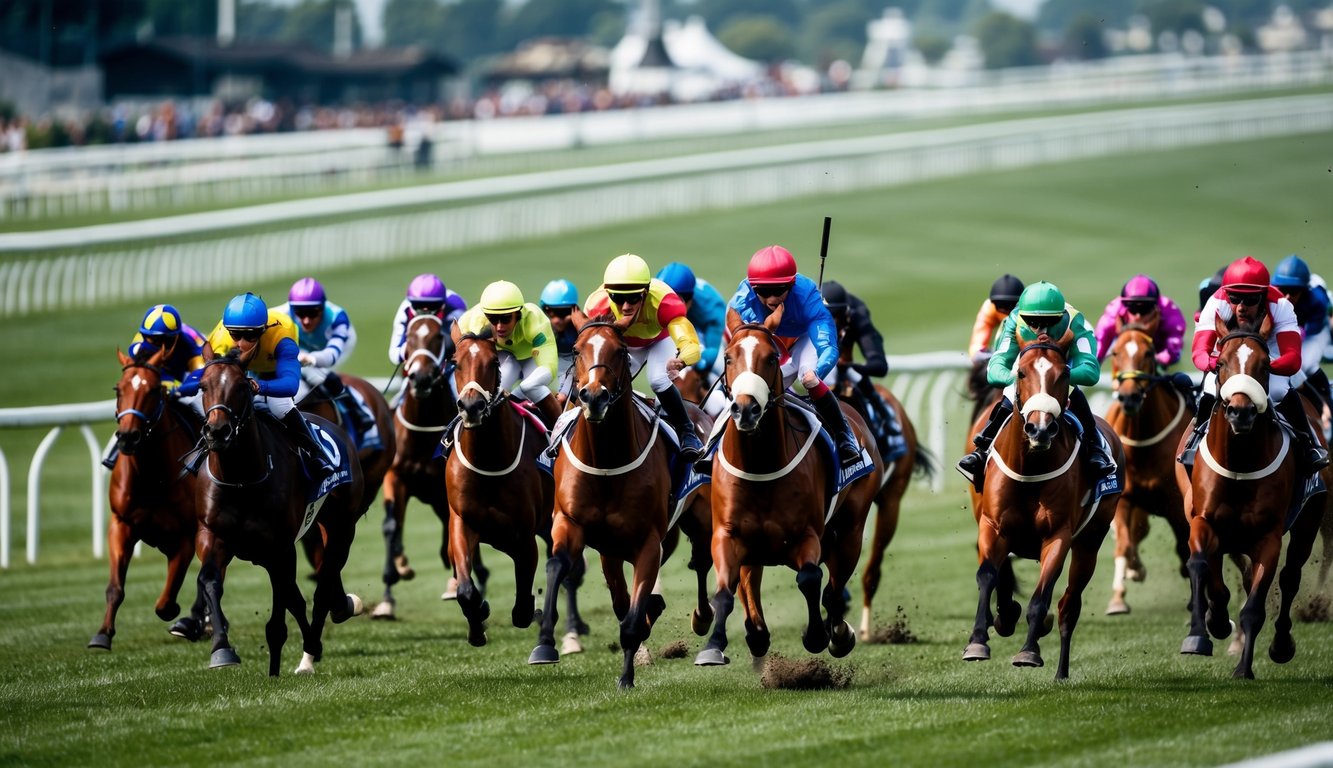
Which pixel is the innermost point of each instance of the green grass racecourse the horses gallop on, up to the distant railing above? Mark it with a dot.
(414, 691)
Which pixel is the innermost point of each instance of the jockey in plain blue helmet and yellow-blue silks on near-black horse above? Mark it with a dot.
(275, 373)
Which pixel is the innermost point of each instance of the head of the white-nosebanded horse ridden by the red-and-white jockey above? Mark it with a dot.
(1243, 369)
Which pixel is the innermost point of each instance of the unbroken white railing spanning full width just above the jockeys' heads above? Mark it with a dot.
(141, 259)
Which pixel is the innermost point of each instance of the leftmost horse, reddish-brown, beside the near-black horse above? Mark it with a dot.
(149, 502)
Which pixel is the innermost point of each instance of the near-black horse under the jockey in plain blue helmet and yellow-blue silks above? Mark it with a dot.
(253, 506)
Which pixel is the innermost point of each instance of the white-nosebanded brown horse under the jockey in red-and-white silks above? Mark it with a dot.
(1239, 499)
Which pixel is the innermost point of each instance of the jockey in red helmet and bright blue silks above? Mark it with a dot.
(807, 333)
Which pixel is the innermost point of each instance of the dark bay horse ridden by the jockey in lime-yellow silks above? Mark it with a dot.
(498, 494)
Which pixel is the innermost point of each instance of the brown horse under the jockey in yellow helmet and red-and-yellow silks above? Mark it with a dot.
(613, 486)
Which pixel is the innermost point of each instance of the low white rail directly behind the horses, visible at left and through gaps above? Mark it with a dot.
(930, 386)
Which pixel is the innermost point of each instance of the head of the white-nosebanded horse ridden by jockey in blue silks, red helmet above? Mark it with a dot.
(754, 369)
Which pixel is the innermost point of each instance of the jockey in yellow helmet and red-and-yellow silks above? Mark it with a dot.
(662, 338)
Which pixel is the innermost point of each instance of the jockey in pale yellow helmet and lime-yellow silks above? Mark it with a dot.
(525, 342)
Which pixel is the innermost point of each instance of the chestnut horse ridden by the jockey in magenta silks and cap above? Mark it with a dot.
(1151, 415)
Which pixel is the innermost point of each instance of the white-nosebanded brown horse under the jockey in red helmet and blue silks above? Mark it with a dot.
(772, 503)
